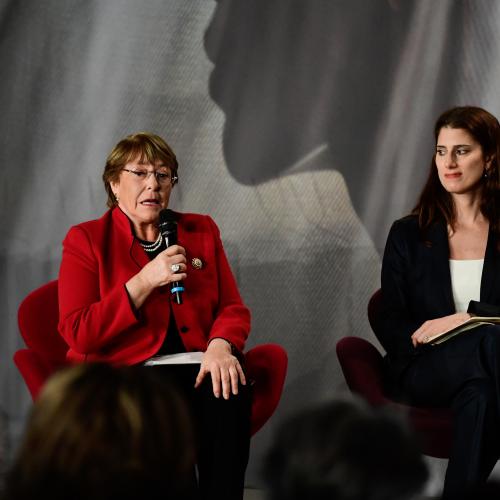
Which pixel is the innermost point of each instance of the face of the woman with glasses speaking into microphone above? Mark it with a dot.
(143, 190)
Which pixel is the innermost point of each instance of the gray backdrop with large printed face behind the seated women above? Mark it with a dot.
(302, 127)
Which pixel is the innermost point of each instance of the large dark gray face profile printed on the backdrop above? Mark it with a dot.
(293, 75)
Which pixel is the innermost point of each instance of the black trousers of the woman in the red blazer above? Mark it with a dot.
(222, 429)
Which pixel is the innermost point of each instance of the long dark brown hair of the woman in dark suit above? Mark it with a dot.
(434, 202)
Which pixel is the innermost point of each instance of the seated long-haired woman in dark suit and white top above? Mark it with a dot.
(441, 265)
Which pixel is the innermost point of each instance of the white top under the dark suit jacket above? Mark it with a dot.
(465, 281)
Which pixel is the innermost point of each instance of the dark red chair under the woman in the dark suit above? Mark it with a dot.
(362, 365)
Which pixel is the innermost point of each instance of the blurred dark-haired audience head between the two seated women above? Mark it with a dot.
(344, 451)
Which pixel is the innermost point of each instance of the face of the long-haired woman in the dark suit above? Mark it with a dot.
(459, 160)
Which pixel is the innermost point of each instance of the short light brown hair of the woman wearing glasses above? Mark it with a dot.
(148, 147)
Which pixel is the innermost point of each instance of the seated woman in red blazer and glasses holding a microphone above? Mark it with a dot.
(116, 306)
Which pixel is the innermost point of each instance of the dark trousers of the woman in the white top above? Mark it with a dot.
(464, 374)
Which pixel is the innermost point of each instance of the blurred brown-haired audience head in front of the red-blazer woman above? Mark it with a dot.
(103, 433)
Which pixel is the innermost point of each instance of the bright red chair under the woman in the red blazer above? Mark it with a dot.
(45, 353)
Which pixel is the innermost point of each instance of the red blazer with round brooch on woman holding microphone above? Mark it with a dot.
(96, 317)
